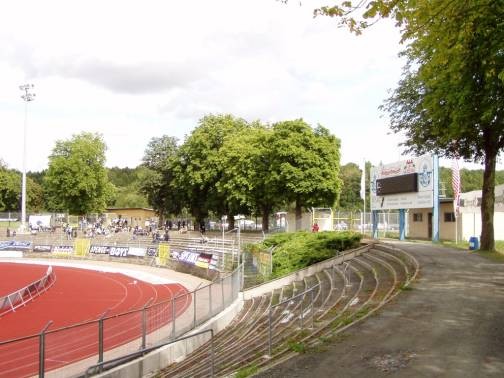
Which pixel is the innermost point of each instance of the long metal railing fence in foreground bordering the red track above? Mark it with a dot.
(115, 335)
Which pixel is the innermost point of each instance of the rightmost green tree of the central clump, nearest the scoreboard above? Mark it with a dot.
(306, 162)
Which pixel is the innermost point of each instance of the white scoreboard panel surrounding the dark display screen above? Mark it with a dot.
(424, 198)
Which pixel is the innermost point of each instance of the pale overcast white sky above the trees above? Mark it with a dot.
(135, 70)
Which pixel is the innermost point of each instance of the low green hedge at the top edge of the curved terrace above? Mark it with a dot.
(294, 251)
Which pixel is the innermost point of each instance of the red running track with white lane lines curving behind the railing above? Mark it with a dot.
(79, 296)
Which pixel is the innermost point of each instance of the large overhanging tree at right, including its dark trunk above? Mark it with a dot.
(450, 98)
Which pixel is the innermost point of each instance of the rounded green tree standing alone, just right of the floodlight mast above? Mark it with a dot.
(76, 179)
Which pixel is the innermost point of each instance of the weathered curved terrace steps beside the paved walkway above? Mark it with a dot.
(343, 294)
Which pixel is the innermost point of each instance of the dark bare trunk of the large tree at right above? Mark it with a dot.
(487, 203)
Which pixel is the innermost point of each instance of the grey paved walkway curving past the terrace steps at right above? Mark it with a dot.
(451, 324)
